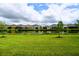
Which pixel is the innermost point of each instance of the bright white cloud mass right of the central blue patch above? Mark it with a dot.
(61, 12)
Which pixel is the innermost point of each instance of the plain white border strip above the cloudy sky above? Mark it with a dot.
(39, 1)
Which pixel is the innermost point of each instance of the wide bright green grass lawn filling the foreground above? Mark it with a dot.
(39, 45)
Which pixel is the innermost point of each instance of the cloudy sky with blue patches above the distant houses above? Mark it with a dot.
(39, 13)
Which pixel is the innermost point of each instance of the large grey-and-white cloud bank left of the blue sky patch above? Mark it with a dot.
(17, 12)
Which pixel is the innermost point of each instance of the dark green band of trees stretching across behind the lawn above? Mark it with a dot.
(59, 28)
